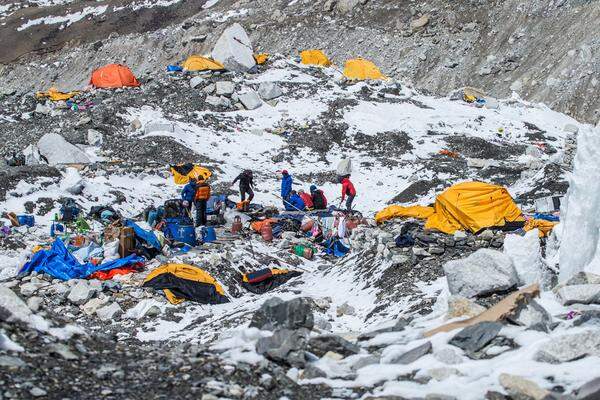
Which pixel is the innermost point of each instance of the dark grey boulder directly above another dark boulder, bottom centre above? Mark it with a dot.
(276, 313)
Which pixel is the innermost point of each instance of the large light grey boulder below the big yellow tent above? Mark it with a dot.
(484, 272)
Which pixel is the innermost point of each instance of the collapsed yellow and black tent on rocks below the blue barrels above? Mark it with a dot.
(185, 282)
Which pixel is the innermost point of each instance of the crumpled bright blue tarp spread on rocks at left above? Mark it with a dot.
(61, 264)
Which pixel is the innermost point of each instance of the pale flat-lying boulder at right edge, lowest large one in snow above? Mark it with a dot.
(569, 347)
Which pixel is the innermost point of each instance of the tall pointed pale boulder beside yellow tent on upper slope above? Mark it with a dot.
(234, 50)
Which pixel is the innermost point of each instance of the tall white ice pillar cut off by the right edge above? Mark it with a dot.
(580, 212)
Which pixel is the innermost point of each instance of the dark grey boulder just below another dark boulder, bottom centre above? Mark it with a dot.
(285, 346)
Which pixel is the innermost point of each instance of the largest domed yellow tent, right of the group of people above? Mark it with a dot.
(473, 206)
